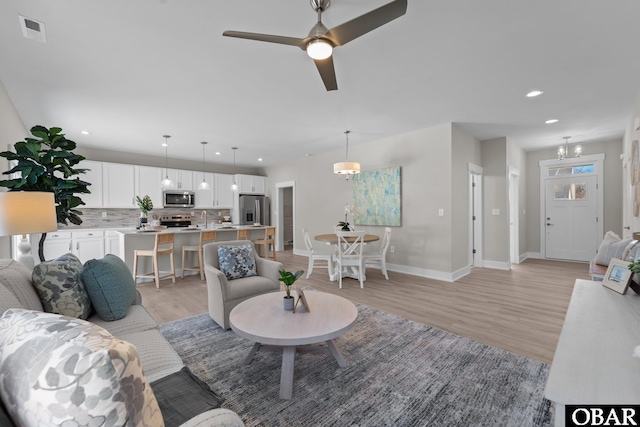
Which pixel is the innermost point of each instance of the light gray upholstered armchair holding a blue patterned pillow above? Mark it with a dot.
(223, 294)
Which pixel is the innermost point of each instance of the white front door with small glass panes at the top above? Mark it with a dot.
(571, 220)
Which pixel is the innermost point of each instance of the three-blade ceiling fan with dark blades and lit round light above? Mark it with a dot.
(320, 42)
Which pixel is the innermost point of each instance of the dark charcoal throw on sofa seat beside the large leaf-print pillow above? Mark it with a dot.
(182, 396)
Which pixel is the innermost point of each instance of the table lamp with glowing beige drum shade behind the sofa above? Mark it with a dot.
(27, 212)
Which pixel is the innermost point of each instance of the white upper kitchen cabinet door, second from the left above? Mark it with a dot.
(118, 184)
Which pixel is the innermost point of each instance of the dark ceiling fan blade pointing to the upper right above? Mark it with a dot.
(344, 33)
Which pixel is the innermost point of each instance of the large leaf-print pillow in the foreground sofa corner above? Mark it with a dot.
(58, 370)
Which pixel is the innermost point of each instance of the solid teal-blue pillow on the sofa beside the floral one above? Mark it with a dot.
(110, 286)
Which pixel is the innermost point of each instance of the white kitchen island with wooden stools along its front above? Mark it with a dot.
(131, 240)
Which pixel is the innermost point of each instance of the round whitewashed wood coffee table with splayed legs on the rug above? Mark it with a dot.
(263, 319)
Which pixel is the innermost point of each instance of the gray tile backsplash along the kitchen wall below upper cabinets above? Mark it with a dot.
(128, 218)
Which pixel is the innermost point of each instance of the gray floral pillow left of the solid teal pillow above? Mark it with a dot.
(59, 286)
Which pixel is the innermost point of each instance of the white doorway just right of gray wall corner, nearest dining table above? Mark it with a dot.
(475, 216)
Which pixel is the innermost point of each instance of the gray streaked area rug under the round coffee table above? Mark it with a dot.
(399, 373)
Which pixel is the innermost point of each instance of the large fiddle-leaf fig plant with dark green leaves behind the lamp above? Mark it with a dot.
(47, 163)
